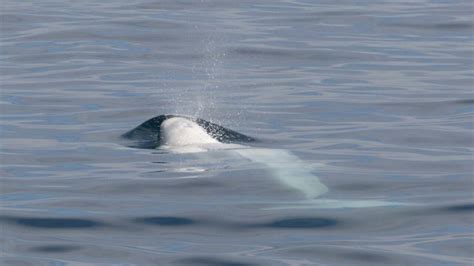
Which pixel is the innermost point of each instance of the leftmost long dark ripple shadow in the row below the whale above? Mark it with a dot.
(51, 223)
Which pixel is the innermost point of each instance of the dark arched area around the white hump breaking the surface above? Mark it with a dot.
(148, 134)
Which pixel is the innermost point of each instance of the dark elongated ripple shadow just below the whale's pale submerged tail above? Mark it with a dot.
(304, 222)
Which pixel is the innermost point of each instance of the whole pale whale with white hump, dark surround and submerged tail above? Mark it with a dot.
(181, 134)
